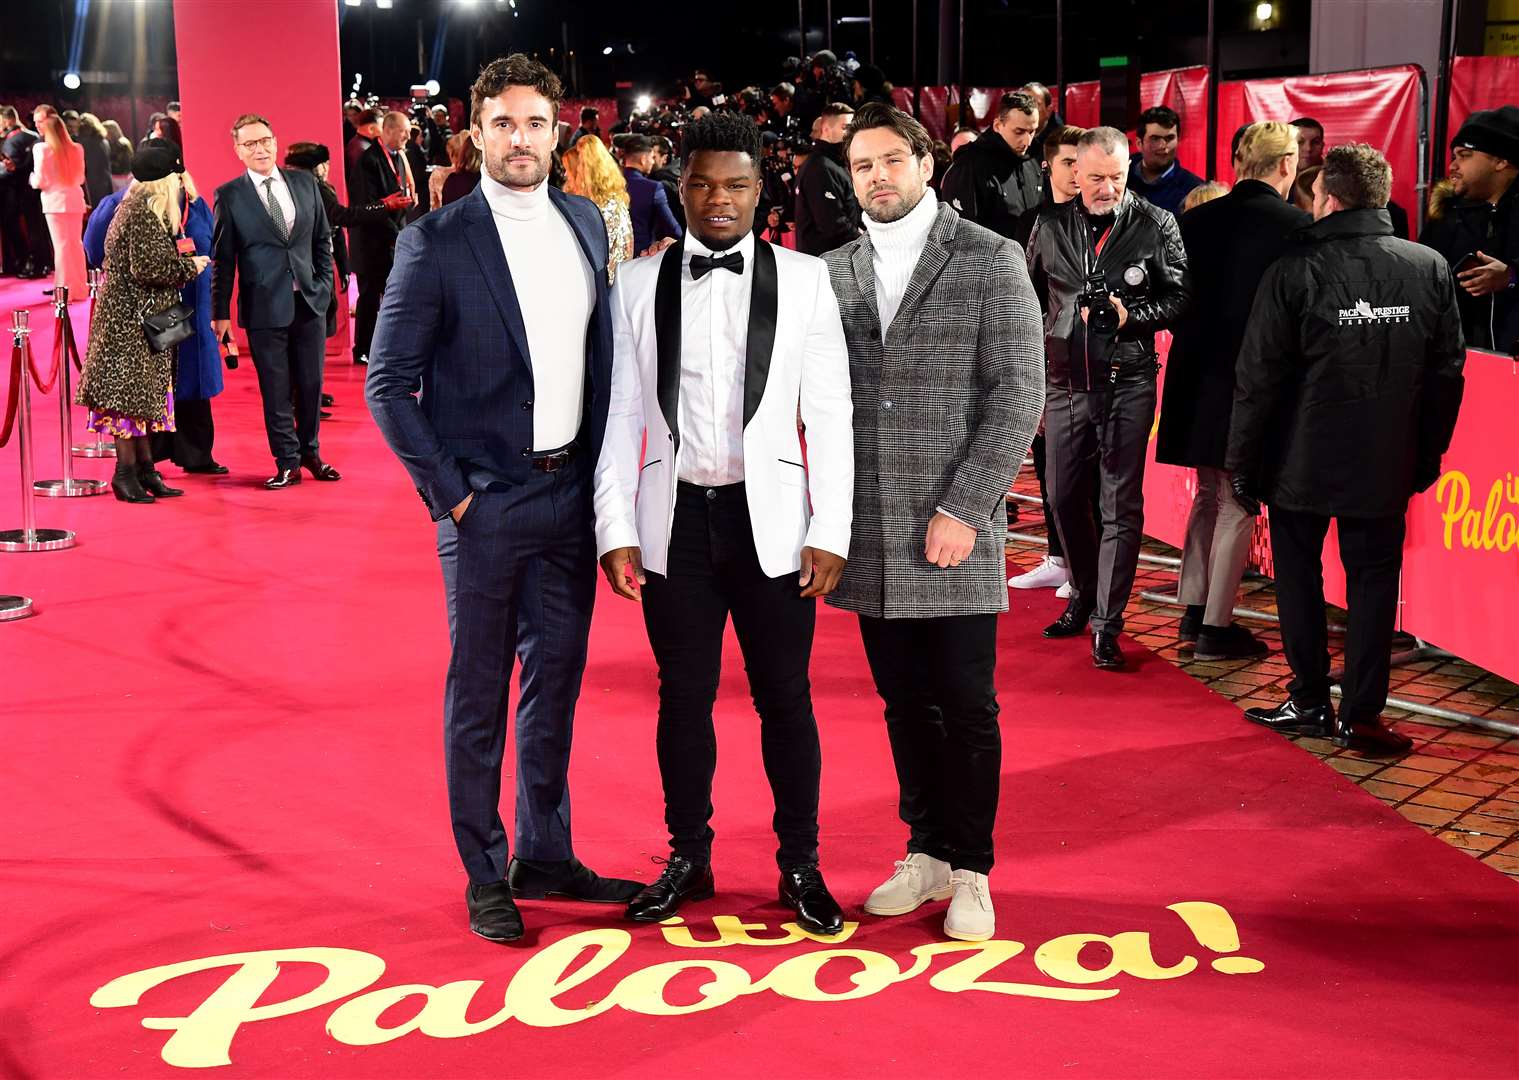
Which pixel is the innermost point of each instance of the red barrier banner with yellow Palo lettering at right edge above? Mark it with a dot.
(1462, 558)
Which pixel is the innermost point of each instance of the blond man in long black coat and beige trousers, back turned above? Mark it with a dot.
(1230, 245)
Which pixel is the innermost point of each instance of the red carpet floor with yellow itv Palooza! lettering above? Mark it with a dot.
(223, 741)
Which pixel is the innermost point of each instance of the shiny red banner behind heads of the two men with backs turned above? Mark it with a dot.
(1377, 107)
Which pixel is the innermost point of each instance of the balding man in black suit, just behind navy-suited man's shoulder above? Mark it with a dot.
(382, 171)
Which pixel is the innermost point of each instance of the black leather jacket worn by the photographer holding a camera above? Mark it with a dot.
(1061, 256)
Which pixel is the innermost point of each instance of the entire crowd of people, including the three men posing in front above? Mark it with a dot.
(622, 335)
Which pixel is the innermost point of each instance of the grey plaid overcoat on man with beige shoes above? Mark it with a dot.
(944, 412)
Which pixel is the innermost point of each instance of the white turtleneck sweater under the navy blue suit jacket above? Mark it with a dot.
(557, 294)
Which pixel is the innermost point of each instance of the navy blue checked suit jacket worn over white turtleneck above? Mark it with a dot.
(450, 327)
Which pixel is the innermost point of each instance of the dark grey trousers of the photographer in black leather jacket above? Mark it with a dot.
(1110, 429)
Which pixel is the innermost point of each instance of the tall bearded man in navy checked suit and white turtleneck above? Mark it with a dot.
(497, 312)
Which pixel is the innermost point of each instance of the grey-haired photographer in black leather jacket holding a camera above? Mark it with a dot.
(1111, 271)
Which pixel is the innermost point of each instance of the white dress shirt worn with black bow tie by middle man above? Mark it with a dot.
(715, 333)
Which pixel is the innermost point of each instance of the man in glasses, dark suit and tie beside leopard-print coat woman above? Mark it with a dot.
(273, 232)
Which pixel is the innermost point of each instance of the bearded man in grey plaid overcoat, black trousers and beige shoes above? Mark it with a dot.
(947, 371)
